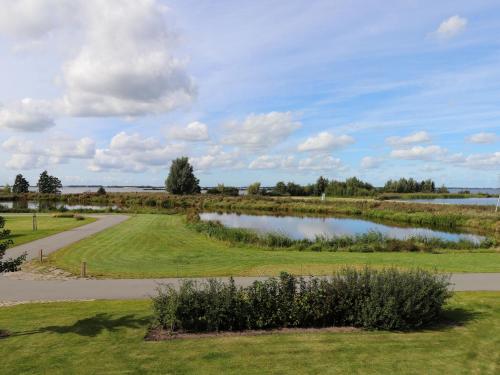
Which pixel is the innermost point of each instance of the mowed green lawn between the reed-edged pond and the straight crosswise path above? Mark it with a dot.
(162, 246)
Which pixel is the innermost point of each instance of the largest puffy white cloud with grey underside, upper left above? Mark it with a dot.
(125, 66)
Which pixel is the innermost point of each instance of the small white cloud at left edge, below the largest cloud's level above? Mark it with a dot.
(27, 116)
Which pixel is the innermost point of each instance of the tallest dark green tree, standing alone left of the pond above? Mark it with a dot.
(181, 179)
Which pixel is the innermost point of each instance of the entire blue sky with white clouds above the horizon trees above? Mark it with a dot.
(110, 91)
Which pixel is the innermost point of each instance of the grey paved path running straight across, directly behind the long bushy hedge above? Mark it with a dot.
(51, 290)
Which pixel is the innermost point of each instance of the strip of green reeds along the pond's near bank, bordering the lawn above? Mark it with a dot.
(367, 242)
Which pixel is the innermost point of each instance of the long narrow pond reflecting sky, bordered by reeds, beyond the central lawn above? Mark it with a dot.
(310, 227)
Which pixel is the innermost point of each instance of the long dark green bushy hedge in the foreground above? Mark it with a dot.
(387, 299)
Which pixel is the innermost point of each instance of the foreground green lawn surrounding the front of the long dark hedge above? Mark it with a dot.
(106, 337)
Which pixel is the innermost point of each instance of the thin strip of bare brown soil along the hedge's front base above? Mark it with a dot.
(161, 335)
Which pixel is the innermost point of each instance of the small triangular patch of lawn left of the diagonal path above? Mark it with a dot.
(21, 226)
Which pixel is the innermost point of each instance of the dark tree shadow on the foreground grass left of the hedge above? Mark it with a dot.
(91, 327)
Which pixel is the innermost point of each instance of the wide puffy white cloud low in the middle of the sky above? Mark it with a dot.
(260, 131)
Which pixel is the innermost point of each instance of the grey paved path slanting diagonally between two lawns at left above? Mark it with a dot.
(58, 241)
